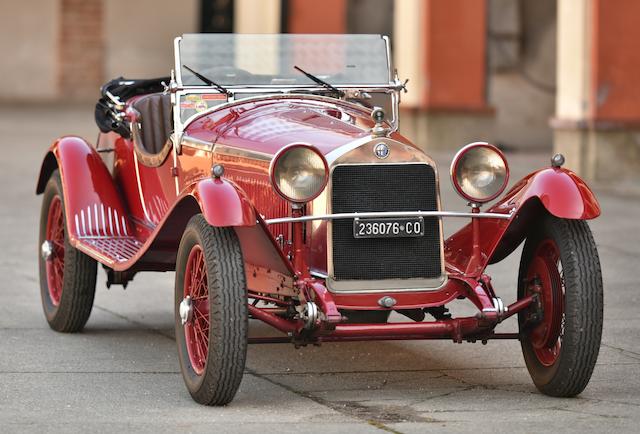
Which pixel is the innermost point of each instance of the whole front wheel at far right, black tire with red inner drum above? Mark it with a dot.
(561, 333)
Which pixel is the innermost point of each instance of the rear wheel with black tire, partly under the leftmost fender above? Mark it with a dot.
(68, 276)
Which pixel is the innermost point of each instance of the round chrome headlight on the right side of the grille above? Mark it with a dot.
(479, 172)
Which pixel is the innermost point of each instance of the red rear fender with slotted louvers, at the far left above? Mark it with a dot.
(92, 203)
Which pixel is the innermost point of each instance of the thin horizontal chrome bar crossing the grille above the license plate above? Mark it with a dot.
(351, 215)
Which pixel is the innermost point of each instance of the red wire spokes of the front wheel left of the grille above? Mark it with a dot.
(196, 330)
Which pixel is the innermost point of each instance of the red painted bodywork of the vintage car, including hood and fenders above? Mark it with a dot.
(130, 217)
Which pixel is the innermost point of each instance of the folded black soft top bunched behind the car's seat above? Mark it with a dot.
(124, 89)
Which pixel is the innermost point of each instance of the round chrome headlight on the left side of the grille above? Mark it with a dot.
(299, 173)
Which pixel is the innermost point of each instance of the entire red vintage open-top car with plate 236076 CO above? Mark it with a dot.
(269, 173)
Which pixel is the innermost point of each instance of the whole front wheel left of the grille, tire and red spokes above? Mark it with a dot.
(211, 299)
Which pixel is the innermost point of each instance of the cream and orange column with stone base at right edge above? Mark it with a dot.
(597, 123)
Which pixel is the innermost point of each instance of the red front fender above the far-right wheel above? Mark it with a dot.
(556, 191)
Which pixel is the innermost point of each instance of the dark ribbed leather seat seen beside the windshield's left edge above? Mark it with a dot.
(156, 120)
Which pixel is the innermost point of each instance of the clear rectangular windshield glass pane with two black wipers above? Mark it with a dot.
(232, 60)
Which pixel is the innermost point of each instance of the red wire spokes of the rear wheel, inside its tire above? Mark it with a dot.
(55, 264)
